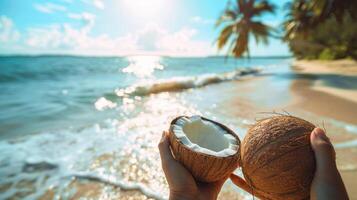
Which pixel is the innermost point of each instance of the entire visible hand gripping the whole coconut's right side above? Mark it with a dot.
(327, 183)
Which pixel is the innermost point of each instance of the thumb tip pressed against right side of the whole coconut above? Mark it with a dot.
(323, 149)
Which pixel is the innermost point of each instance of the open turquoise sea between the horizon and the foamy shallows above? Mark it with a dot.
(39, 94)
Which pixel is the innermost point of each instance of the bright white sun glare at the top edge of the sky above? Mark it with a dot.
(144, 8)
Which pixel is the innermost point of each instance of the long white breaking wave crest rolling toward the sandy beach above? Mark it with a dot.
(182, 83)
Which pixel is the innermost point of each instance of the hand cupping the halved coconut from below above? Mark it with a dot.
(181, 183)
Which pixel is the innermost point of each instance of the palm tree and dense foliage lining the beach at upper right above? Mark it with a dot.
(313, 29)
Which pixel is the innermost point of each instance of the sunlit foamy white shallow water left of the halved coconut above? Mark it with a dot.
(121, 154)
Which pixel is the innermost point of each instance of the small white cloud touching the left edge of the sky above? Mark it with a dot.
(8, 33)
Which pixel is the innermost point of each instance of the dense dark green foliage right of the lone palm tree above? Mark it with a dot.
(331, 35)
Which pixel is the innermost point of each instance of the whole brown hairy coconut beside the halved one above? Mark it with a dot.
(277, 159)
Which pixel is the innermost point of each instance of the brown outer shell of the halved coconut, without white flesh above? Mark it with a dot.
(204, 167)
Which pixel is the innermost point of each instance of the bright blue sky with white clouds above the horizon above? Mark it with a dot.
(121, 27)
